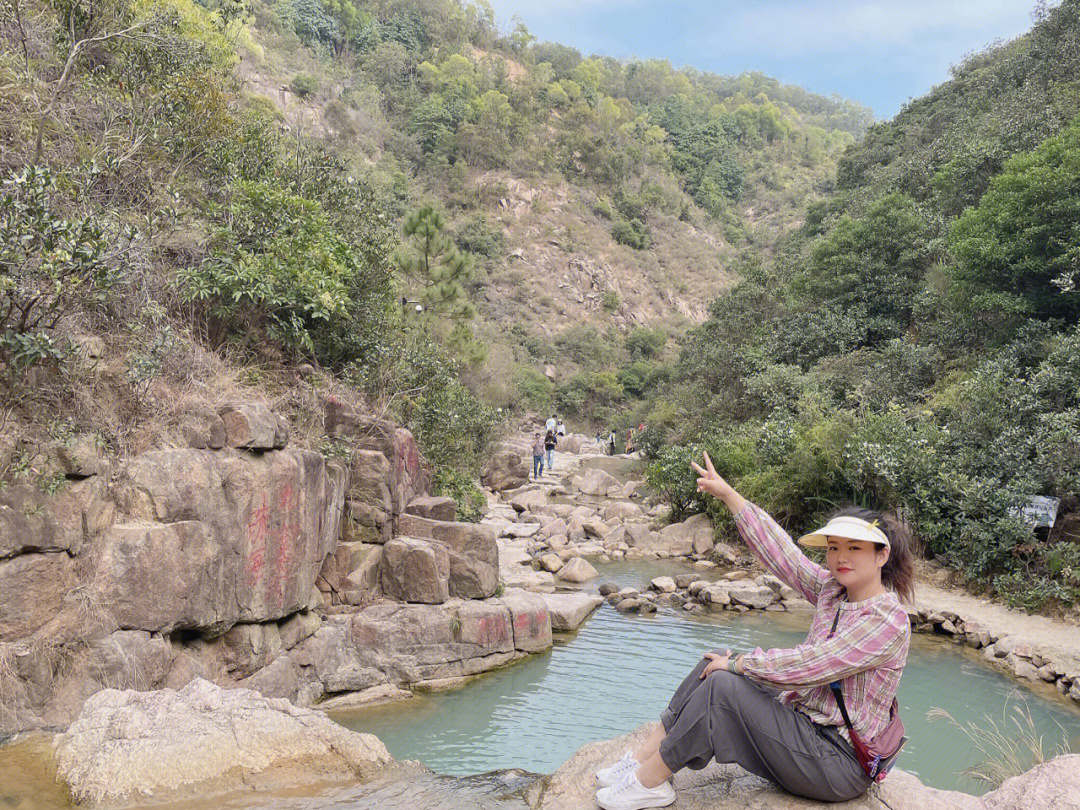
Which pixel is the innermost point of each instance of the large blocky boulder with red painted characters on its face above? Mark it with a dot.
(214, 539)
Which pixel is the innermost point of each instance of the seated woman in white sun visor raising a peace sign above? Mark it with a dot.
(834, 730)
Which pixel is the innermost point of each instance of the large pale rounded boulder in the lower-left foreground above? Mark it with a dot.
(130, 747)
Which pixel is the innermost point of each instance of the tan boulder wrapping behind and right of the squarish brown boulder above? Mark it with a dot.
(474, 552)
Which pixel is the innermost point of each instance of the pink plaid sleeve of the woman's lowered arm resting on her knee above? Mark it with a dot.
(873, 639)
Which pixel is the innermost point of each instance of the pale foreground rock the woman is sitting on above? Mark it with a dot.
(730, 788)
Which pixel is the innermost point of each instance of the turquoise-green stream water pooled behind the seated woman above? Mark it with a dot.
(618, 672)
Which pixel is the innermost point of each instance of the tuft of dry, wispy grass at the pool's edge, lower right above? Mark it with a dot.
(1009, 747)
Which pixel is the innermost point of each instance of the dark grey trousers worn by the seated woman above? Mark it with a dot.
(730, 718)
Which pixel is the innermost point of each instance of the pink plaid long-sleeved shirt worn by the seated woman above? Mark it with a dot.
(867, 655)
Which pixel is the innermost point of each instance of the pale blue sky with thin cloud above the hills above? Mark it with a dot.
(879, 52)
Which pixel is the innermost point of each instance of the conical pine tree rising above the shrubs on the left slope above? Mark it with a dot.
(434, 267)
